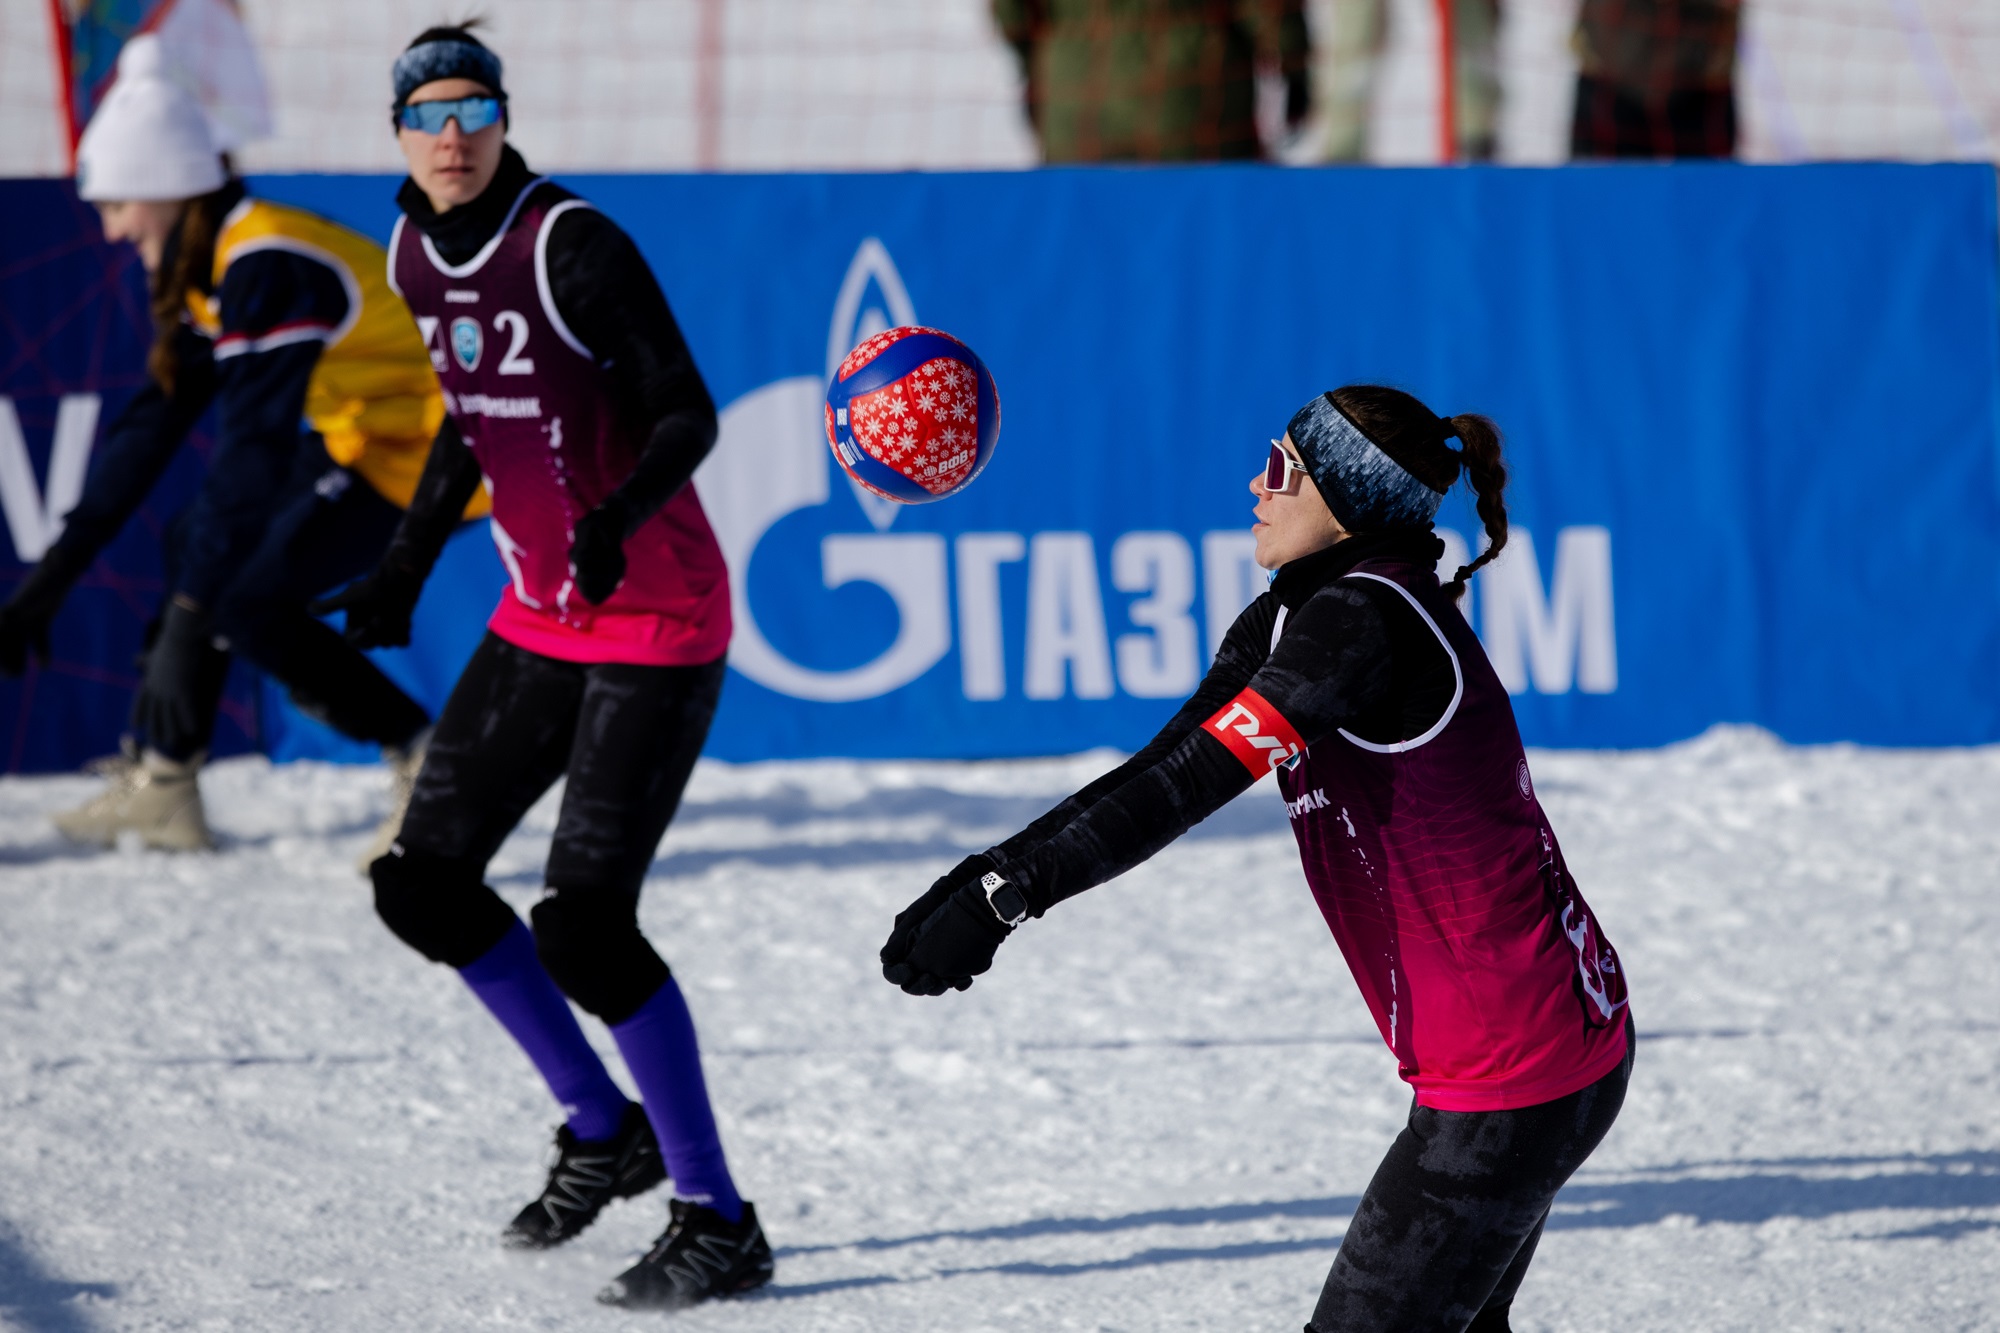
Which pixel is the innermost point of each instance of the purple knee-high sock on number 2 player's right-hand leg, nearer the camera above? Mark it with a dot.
(667, 1064)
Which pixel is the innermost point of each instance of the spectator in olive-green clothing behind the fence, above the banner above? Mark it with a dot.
(1155, 81)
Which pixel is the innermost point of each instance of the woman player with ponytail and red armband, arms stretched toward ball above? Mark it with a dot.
(1403, 772)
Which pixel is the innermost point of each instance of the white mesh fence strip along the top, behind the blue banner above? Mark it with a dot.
(831, 85)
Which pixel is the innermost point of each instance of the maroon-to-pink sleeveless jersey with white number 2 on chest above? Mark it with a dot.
(535, 409)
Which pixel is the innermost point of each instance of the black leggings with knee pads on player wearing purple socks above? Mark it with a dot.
(627, 738)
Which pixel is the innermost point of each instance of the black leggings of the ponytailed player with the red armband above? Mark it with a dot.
(1455, 1212)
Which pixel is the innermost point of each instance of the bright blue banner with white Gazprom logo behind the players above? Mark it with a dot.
(1751, 417)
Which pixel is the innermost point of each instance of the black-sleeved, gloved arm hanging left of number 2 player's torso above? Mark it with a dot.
(381, 603)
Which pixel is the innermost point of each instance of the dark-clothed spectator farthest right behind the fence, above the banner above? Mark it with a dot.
(1657, 79)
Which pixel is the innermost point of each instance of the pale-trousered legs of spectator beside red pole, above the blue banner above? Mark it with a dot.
(1353, 51)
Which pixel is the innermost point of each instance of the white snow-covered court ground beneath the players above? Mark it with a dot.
(233, 1102)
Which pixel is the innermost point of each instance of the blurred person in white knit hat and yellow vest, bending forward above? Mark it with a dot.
(275, 317)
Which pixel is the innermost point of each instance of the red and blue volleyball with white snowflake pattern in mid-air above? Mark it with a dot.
(913, 415)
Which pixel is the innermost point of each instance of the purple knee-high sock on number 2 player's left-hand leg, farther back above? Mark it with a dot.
(515, 986)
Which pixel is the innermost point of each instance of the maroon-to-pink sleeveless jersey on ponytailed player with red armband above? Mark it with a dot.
(1447, 892)
